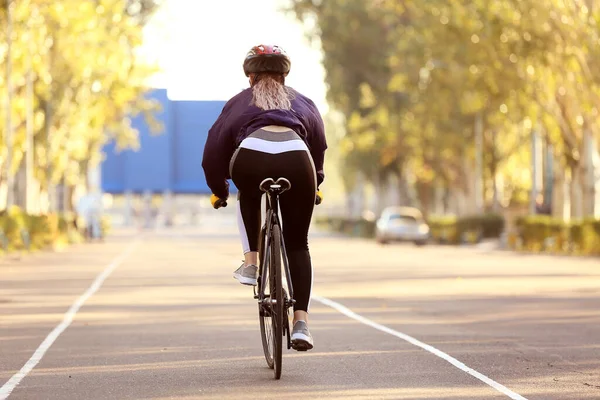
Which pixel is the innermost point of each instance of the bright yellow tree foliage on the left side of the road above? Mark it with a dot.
(81, 98)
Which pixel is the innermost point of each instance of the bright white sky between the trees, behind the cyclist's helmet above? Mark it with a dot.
(201, 45)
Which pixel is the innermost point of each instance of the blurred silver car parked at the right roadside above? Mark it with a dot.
(402, 224)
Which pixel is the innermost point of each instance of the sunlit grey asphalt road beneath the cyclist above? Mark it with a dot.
(170, 322)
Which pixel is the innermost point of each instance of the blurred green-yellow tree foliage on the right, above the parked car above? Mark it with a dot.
(434, 67)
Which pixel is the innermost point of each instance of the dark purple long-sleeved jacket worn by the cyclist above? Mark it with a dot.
(239, 119)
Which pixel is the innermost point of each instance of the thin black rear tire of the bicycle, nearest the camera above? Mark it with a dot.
(277, 308)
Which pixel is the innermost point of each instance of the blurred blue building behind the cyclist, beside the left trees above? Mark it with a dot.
(170, 161)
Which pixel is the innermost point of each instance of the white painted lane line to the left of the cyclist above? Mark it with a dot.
(12, 383)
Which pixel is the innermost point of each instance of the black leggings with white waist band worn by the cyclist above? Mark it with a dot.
(267, 154)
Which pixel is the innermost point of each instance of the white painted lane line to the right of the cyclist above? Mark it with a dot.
(351, 314)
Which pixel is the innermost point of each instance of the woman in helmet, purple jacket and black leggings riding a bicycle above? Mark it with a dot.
(269, 131)
